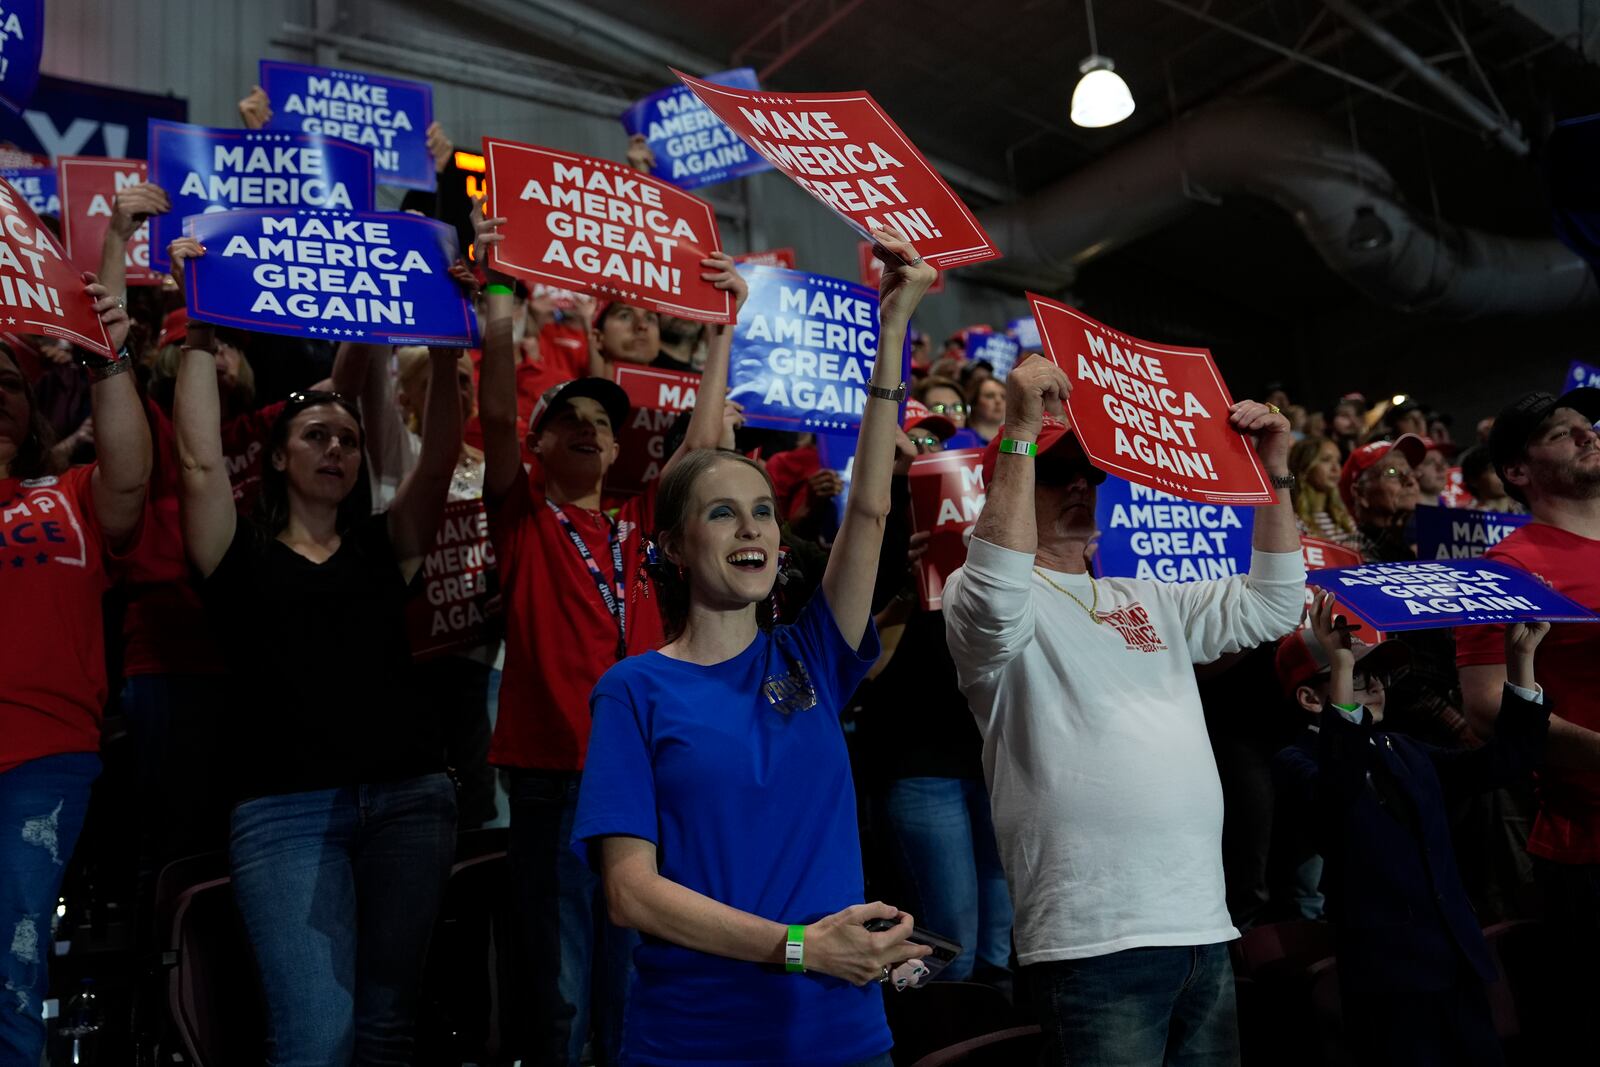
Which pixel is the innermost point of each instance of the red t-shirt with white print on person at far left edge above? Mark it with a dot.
(54, 653)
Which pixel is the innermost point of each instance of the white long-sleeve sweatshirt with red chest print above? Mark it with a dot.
(1105, 791)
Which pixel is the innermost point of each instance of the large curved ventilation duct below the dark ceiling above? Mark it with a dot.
(1343, 201)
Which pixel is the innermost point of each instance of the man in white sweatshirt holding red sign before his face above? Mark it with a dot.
(1105, 793)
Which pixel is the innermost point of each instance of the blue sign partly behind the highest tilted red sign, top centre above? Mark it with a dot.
(694, 148)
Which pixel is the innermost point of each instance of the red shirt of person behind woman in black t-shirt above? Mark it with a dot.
(164, 629)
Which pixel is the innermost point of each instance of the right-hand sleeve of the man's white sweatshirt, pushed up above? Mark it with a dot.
(1226, 617)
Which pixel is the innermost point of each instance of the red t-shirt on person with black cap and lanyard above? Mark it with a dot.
(559, 634)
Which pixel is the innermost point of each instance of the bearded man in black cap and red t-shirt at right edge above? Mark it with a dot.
(1548, 458)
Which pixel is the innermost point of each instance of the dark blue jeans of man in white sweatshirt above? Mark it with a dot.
(1162, 1007)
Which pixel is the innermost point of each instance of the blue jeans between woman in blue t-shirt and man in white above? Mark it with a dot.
(948, 855)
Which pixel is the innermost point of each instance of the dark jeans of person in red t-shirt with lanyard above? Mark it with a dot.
(577, 967)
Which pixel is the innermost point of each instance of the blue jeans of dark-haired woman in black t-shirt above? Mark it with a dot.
(340, 890)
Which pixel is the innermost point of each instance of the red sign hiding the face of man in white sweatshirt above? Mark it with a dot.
(1151, 414)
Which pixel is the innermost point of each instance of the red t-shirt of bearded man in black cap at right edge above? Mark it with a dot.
(1567, 828)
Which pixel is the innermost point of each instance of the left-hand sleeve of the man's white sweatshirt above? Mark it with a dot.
(990, 610)
